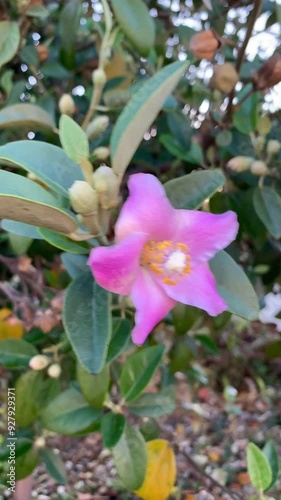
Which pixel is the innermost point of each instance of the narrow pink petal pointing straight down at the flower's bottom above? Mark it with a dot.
(151, 303)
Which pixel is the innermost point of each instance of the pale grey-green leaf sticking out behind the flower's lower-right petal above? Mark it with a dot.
(234, 286)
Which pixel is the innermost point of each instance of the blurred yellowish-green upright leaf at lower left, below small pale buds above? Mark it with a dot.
(26, 404)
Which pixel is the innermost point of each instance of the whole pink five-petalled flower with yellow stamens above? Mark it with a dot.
(161, 255)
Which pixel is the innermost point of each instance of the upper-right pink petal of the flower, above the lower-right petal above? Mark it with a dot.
(204, 233)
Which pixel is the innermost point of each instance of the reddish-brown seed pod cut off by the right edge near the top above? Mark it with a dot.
(269, 74)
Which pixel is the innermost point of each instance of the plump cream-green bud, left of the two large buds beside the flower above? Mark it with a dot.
(83, 197)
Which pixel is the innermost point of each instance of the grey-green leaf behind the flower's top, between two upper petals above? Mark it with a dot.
(190, 191)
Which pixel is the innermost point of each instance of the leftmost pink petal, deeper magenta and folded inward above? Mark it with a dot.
(115, 268)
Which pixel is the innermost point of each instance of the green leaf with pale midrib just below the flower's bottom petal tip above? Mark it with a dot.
(139, 370)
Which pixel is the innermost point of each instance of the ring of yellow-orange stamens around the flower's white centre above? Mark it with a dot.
(157, 253)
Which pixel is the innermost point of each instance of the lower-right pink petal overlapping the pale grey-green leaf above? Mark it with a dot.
(198, 289)
